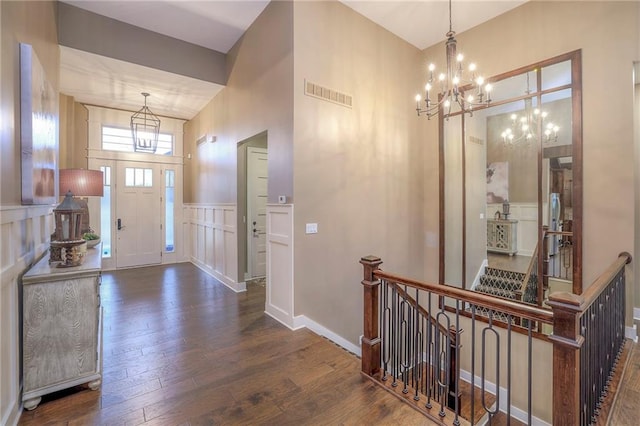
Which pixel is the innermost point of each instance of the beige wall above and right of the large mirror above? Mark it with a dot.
(607, 33)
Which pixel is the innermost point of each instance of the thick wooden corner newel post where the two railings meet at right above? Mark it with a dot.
(567, 341)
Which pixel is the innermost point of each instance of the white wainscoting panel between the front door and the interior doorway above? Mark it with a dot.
(211, 236)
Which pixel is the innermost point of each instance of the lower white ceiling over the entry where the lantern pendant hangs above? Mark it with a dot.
(98, 80)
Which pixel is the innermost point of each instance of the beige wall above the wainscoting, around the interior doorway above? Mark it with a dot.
(258, 97)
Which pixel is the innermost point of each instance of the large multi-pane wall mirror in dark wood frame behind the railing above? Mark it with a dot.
(511, 181)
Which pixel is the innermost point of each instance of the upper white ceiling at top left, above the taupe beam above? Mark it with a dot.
(213, 24)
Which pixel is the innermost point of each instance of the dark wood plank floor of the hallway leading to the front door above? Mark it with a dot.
(182, 349)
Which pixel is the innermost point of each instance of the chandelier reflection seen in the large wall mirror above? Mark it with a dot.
(525, 126)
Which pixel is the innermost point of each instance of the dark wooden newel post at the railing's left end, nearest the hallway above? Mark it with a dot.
(371, 337)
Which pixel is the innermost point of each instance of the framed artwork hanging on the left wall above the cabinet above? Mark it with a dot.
(38, 130)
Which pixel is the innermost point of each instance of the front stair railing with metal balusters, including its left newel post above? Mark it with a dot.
(408, 353)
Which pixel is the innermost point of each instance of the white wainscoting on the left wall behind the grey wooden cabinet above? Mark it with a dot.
(25, 232)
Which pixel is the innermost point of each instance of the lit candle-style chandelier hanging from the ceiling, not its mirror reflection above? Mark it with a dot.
(456, 86)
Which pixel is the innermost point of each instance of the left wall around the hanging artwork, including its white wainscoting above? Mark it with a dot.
(24, 230)
